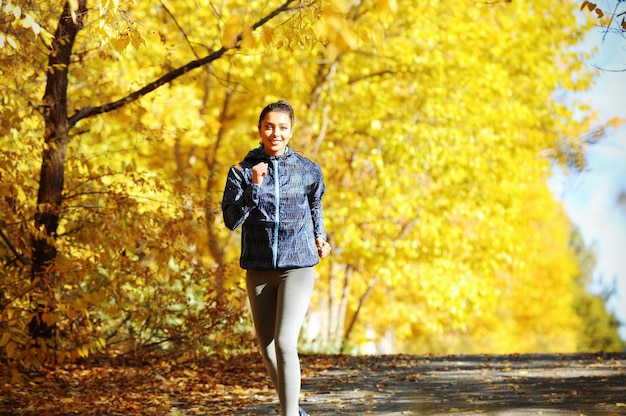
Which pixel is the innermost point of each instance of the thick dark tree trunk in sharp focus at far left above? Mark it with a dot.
(50, 195)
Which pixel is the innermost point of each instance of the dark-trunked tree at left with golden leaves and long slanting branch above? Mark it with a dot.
(51, 282)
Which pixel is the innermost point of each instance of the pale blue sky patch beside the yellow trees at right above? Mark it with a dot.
(595, 199)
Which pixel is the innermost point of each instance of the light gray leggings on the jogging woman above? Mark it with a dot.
(279, 300)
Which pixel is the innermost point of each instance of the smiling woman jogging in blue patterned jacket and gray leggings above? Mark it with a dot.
(276, 196)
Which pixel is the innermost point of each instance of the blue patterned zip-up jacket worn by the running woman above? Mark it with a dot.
(281, 218)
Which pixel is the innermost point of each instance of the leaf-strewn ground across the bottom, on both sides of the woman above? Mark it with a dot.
(556, 384)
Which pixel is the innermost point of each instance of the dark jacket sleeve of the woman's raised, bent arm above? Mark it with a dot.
(240, 197)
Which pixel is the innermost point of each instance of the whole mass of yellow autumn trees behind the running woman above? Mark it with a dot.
(435, 125)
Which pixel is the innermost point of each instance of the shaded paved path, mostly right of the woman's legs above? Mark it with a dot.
(558, 384)
